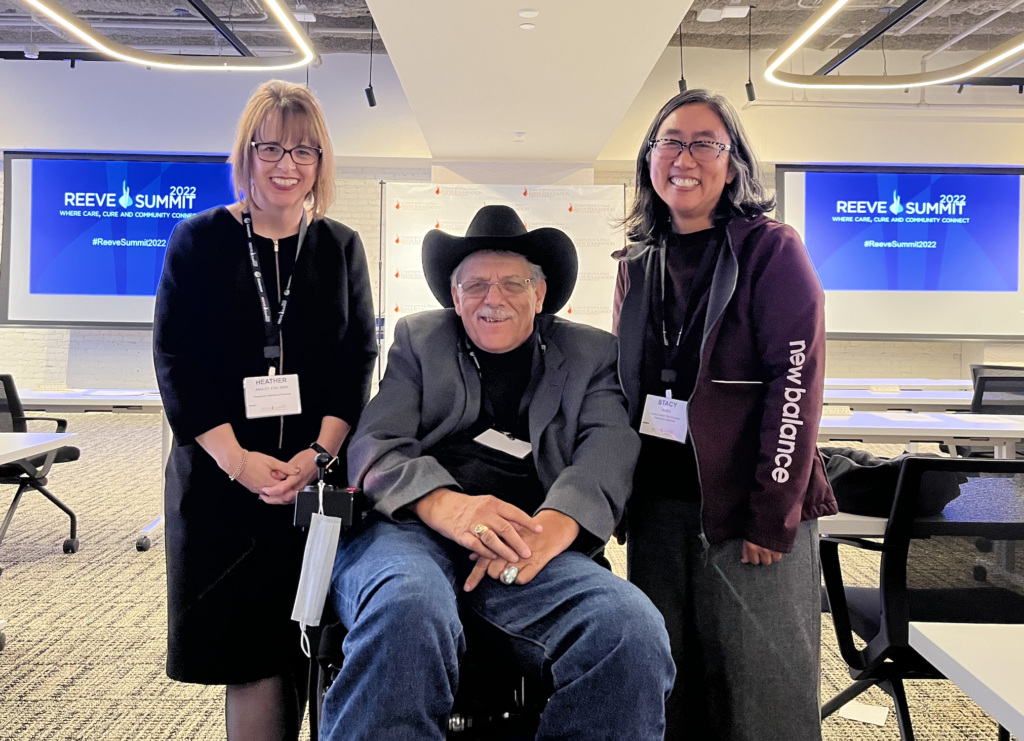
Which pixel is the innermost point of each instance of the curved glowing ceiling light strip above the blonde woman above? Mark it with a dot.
(88, 34)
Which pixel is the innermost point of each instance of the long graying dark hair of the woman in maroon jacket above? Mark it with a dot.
(650, 219)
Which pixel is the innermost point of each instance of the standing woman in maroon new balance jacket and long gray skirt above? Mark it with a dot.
(720, 320)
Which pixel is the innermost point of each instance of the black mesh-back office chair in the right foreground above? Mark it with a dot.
(960, 566)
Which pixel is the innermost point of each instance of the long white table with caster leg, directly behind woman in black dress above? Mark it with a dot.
(146, 402)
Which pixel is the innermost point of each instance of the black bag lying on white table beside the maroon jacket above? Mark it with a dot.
(866, 485)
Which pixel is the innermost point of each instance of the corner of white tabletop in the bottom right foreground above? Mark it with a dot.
(984, 661)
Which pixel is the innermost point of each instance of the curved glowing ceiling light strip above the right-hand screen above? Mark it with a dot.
(1002, 54)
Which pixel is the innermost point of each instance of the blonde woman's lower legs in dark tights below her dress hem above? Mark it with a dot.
(268, 710)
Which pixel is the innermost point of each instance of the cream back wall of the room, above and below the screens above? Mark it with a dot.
(119, 107)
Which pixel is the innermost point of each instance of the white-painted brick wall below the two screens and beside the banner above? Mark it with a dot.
(123, 360)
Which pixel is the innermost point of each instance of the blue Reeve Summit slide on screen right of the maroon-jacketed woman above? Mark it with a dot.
(914, 232)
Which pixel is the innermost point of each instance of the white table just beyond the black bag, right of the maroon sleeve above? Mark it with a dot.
(1002, 433)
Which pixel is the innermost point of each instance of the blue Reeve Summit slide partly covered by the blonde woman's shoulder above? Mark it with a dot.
(101, 228)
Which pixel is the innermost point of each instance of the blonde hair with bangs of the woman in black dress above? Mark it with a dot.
(302, 120)
